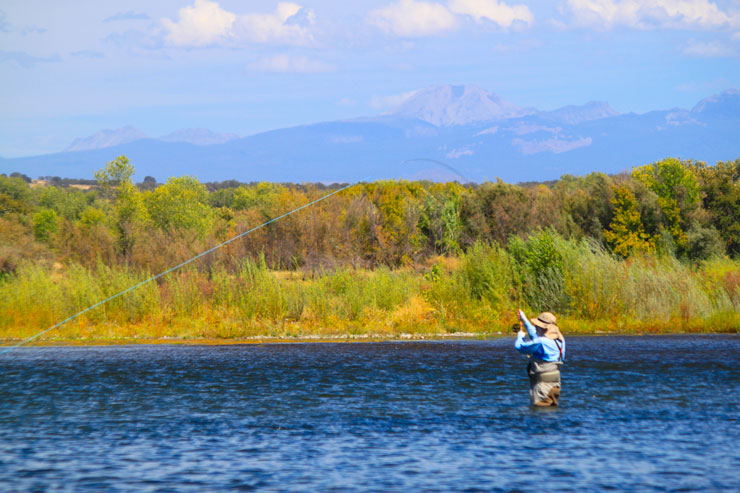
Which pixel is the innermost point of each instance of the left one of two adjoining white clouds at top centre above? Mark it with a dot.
(411, 19)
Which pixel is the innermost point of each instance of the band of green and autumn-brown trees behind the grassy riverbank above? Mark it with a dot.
(686, 209)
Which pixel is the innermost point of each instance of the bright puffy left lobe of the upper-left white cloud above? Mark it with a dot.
(205, 23)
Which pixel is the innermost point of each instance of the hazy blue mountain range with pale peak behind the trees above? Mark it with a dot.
(441, 132)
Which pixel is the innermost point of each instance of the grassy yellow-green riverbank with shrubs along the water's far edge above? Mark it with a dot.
(590, 290)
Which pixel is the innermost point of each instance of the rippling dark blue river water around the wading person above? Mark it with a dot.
(647, 413)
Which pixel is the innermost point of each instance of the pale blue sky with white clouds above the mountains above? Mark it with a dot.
(69, 69)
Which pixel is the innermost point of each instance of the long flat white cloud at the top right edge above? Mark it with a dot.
(649, 14)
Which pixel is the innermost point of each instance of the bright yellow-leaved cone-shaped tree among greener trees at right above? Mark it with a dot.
(626, 234)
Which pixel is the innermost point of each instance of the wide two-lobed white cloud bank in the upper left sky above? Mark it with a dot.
(206, 23)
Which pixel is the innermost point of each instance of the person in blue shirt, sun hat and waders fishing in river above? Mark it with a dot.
(544, 345)
